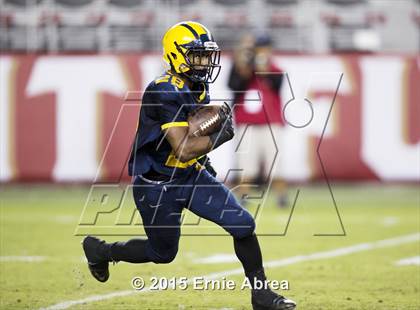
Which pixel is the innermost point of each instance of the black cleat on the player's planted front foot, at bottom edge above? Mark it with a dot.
(266, 299)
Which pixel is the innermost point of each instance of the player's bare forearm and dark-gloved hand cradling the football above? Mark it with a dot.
(187, 147)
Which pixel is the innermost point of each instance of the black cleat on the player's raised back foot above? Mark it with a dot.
(98, 265)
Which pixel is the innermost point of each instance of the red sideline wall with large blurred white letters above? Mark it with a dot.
(72, 117)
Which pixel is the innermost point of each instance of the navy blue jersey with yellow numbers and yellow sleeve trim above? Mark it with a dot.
(166, 103)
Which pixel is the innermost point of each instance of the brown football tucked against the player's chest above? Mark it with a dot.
(205, 120)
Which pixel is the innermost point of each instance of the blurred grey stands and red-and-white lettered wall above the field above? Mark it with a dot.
(75, 62)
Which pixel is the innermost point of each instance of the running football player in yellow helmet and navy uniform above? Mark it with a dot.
(171, 171)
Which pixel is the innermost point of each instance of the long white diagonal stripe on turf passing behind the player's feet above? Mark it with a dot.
(276, 263)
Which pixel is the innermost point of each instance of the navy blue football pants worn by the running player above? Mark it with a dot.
(161, 205)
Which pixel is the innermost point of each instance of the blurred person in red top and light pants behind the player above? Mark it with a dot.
(256, 82)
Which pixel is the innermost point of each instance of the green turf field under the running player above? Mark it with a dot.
(324, 272)
